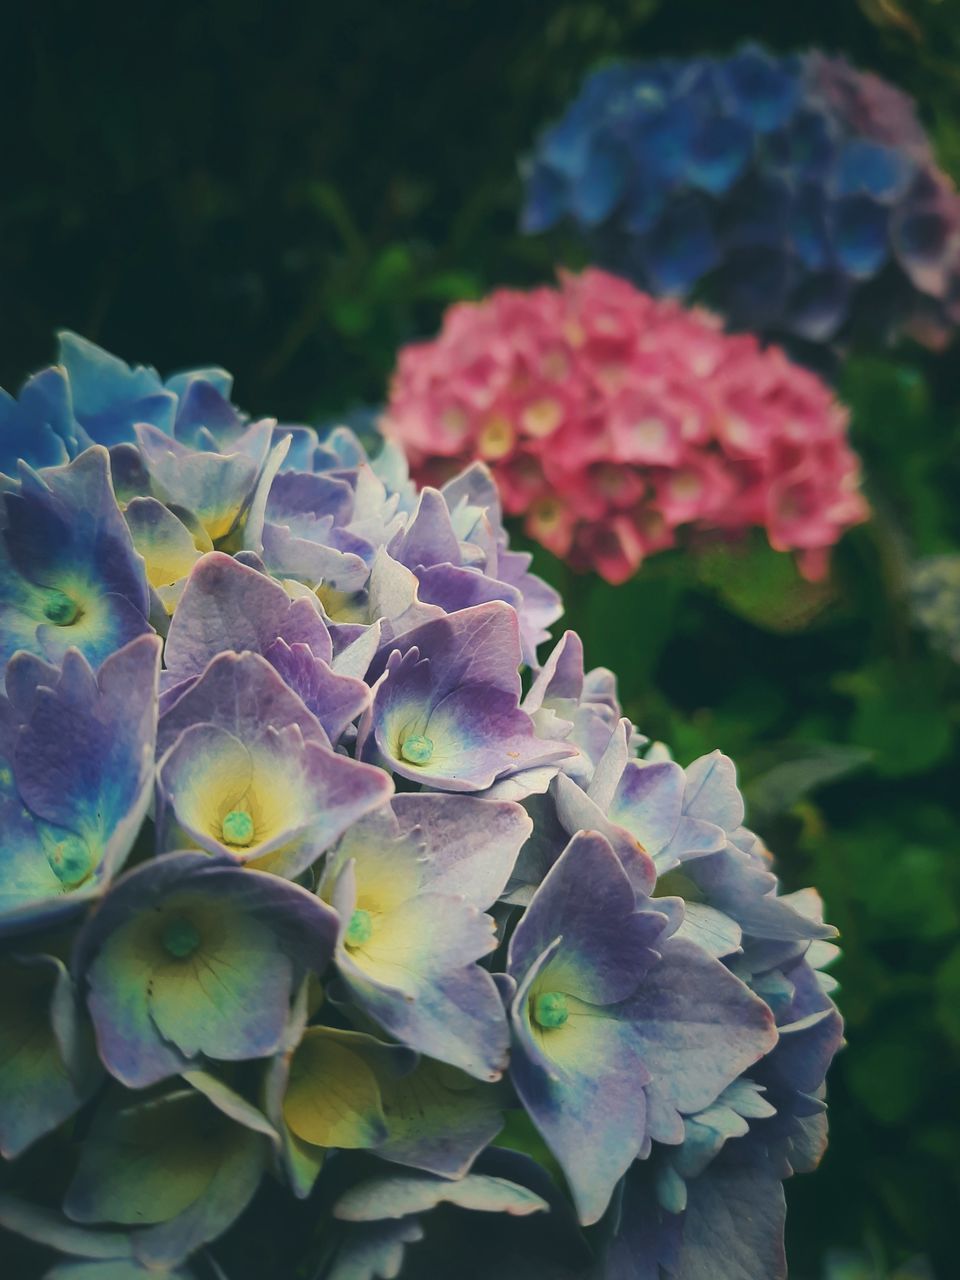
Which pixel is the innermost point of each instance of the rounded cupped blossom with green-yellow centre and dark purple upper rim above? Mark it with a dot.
(194, 958)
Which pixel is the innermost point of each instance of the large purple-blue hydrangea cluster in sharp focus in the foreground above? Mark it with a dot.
(296, 879)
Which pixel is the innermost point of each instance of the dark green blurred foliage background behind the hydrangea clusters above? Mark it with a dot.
(295, 190)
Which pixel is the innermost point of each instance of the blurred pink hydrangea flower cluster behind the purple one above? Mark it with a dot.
(612, 419)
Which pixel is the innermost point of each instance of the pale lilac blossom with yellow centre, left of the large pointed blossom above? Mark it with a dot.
(412, 884)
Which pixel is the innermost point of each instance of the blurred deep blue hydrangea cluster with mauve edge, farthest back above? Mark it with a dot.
(801, 193)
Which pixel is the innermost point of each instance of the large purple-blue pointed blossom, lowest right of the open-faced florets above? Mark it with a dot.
(619, 1028)
